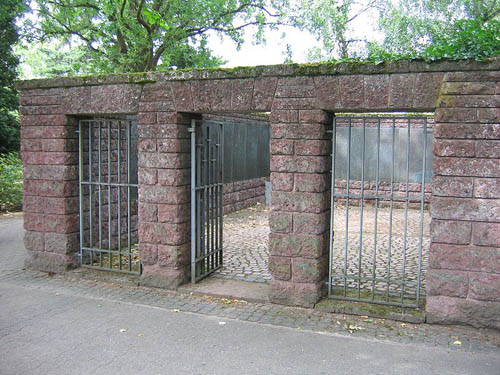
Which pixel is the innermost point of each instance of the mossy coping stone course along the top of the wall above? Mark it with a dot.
(284, 70)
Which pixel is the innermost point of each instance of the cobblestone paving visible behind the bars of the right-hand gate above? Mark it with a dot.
(399, 266)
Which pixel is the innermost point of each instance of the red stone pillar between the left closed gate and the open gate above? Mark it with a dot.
(164, 190)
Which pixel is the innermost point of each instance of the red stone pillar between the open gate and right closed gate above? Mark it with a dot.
(300, 205)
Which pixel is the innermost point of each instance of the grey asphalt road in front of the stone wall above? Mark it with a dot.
(64, 326)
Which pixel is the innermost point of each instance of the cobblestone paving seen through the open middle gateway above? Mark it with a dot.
(246, 245)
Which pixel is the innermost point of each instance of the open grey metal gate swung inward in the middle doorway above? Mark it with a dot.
(207, 189)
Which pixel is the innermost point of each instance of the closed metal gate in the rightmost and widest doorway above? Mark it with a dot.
(379, 227)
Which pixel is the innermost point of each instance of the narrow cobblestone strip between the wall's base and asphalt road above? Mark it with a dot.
(83, 284)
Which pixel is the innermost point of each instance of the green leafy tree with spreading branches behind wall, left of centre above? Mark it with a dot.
(142, 35)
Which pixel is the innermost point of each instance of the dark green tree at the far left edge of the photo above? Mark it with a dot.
(9, 126)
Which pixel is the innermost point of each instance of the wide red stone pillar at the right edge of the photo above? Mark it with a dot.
(463, 279)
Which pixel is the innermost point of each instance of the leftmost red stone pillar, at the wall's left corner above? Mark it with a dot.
(49, 149)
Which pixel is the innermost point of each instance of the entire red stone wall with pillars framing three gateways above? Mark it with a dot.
(464, 274)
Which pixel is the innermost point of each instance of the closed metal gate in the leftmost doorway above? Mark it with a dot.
(108, 195)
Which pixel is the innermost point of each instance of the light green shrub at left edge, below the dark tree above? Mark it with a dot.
(11, 182)
